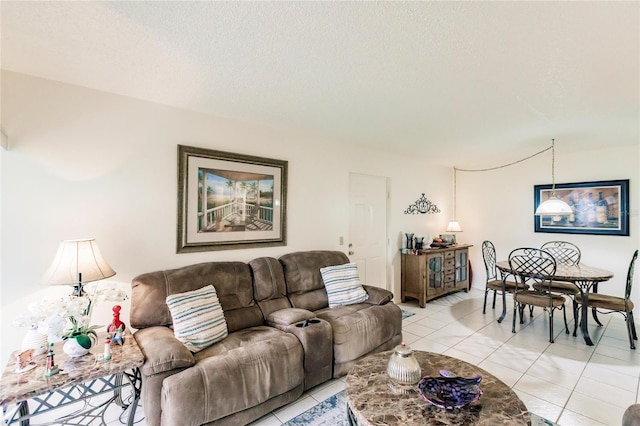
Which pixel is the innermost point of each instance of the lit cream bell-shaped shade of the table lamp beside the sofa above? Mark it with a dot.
(77, 262)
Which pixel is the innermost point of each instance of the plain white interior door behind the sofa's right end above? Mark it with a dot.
(368, 227)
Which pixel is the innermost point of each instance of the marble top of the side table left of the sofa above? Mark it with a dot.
(16, 387)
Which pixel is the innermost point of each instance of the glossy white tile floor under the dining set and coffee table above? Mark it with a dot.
(567, 382)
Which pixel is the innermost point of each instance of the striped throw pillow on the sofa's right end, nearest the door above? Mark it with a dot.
(343, 285)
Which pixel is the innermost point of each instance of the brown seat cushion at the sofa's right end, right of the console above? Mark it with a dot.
(359, 329)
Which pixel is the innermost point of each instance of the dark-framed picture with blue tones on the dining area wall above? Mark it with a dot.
(599, 208)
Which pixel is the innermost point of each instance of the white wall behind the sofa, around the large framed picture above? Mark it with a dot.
(84, 163)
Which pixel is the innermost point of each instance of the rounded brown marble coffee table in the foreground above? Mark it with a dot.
(375, 399)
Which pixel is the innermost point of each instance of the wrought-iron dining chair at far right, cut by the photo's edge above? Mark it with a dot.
(605, 304)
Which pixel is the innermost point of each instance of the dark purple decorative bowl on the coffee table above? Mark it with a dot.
(449, 391)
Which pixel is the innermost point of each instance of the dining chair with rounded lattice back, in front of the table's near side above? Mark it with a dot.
(538, 266)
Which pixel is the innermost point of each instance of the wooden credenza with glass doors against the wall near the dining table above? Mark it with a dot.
(435, 272)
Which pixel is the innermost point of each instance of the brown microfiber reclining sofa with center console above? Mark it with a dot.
(282, 338)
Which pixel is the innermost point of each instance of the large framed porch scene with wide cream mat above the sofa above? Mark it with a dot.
(229, 201)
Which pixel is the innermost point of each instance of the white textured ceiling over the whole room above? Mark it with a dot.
(485, 81)
